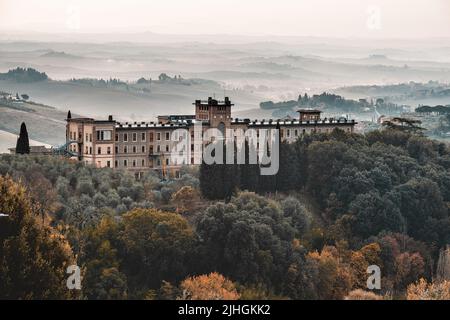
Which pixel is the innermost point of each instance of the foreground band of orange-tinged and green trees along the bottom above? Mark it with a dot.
(252, 247)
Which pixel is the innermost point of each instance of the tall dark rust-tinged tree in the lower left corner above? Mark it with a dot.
(33, 257)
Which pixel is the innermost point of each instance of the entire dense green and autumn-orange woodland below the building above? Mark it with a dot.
(339, 203)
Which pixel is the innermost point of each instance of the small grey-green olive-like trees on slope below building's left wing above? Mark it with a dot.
(81, 195)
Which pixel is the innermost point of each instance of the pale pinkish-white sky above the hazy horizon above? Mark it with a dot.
(323, 18)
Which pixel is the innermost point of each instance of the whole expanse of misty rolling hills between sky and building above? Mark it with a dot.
(248, 69)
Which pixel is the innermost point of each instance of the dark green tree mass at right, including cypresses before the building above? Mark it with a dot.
(365, 186)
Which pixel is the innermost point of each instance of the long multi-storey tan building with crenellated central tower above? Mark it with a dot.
(143, 146)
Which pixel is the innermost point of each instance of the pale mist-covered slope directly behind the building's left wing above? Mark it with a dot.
(129, 102)
